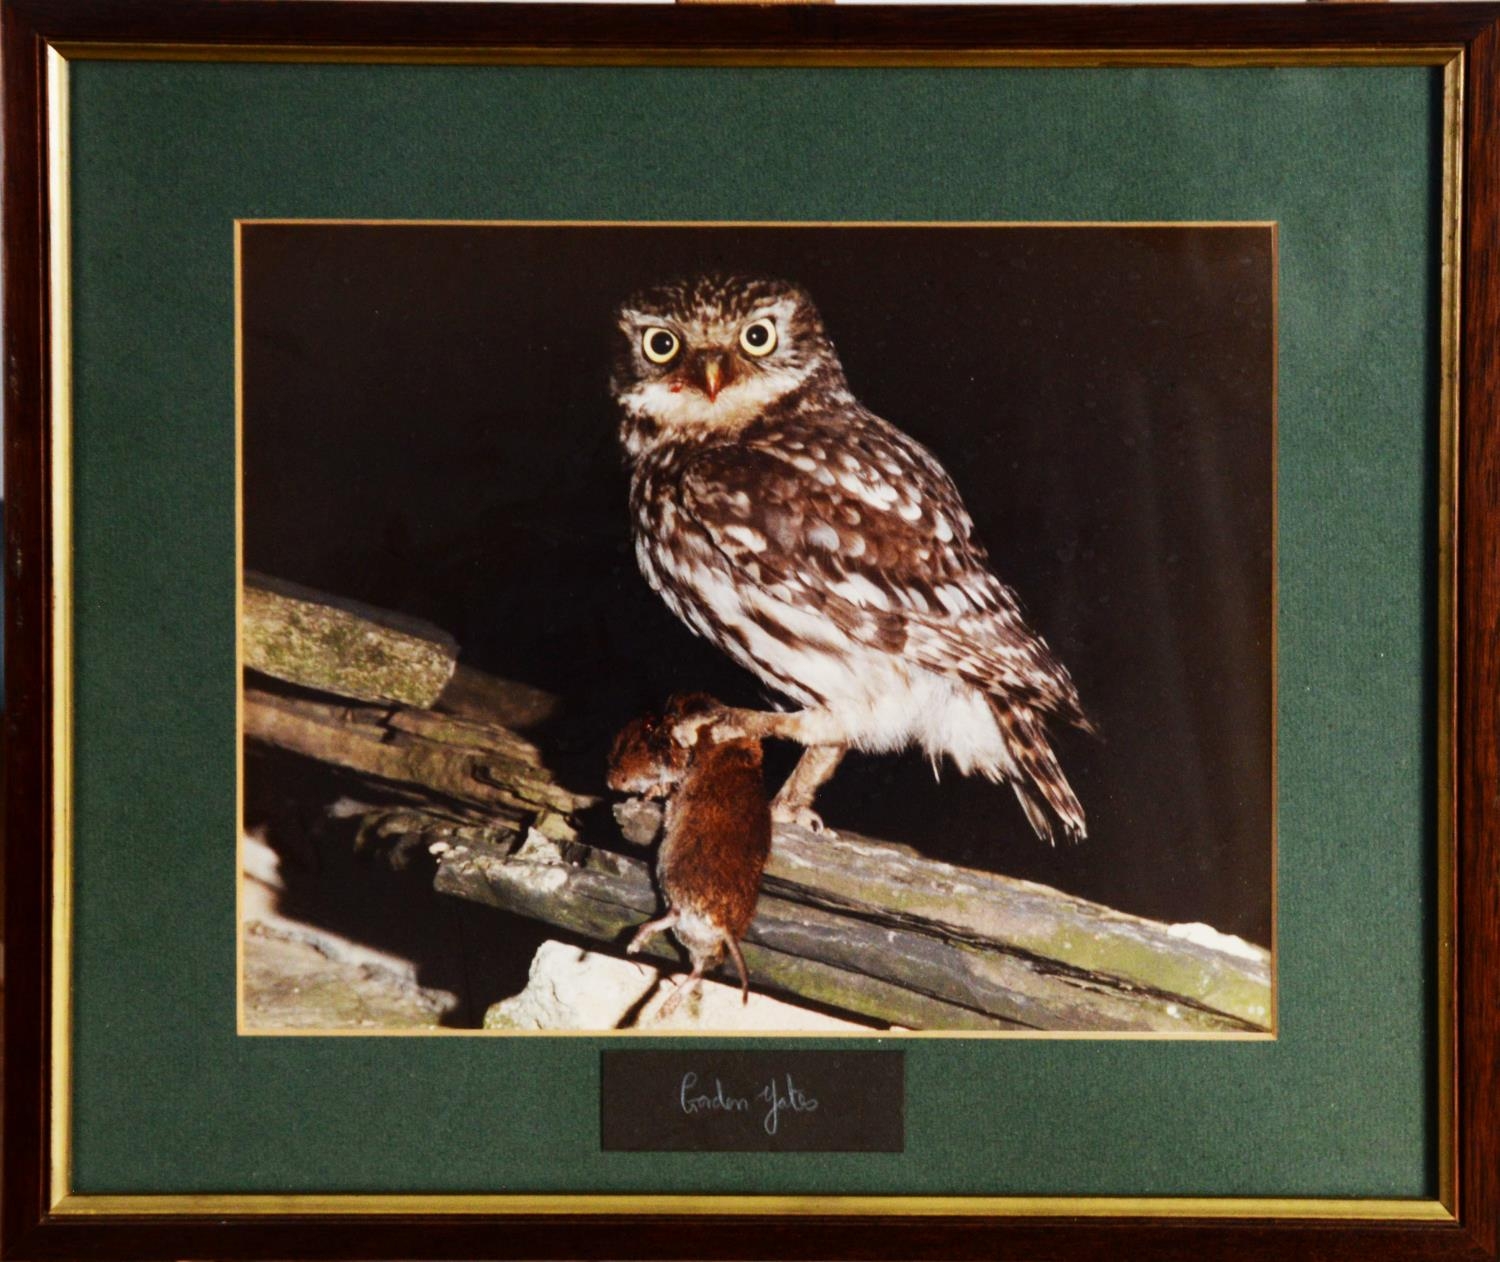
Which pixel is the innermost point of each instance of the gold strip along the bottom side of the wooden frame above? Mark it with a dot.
(998, 1207)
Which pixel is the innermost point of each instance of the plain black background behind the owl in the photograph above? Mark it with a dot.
(428, 428)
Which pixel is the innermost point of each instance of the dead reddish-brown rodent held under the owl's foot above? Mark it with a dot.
(716, 835)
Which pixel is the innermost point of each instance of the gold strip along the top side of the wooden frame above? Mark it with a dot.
(1436, 55)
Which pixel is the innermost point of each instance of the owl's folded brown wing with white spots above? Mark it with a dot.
(869, 532)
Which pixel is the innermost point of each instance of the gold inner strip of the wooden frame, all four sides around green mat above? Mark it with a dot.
(67, 1204)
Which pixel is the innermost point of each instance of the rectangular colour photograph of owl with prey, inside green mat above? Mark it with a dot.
(794, 629)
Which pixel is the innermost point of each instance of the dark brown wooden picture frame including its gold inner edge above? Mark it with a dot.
(1465, 1222)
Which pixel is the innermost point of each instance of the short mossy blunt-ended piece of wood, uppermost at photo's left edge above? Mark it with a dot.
(331, 645)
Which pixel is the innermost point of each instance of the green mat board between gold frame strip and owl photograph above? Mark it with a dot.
(167, 1098)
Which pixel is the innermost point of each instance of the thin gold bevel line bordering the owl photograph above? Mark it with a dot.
(244, 1029)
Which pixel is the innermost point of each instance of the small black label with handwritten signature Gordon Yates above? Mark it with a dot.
(706, 1101)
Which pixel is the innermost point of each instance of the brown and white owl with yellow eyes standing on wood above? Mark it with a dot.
(826, 551)
